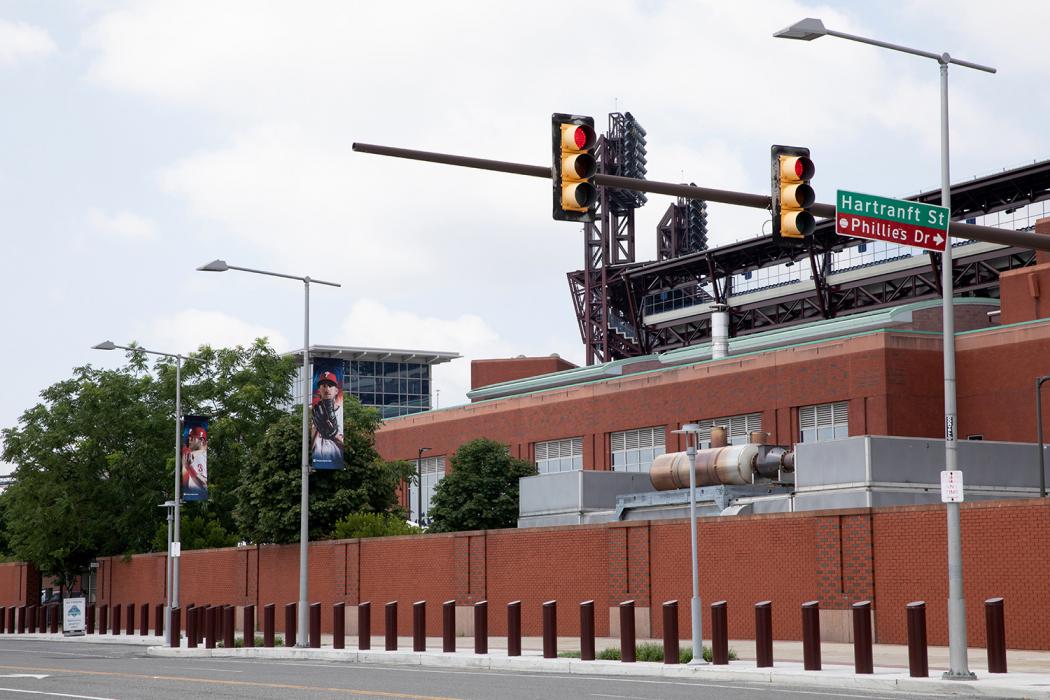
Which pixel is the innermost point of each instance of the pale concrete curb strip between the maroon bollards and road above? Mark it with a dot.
(1009, 686)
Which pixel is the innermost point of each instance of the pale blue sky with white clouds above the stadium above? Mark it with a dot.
(141, 140)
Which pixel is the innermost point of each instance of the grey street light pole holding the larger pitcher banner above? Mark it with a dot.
(303, 639)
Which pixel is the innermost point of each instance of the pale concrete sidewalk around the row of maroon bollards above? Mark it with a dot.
(1030, 675)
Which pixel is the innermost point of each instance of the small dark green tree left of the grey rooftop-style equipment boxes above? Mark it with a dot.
(481, 492)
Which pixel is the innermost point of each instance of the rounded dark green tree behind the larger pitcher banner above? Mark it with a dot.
(270, 493)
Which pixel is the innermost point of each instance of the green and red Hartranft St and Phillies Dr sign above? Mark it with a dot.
(893, 221)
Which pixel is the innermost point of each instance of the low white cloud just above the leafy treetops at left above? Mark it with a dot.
(188, 330)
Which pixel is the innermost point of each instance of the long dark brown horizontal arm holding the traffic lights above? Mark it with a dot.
(958, 229)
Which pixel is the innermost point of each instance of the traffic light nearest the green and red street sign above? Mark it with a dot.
(792, 172)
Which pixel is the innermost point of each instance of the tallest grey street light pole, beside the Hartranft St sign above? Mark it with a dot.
(809, 30)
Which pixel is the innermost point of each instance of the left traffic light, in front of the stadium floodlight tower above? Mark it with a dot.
(573, 142)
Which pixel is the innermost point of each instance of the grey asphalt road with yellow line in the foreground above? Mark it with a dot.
(32, 669)
